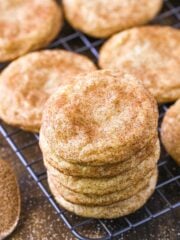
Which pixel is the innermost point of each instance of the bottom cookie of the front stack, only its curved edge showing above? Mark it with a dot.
(115, 210)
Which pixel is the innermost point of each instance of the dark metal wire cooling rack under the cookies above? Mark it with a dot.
(25, 146)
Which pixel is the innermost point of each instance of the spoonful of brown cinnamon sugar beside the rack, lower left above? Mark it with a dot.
(9, 200)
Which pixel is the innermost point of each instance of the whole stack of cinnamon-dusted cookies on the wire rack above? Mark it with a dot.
(100, 145)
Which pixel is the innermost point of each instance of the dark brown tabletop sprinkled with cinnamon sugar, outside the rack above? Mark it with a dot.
(39, 222)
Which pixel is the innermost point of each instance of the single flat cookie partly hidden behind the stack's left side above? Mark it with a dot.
(27, 83)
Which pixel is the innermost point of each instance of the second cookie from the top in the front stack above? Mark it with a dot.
(108, 170)
